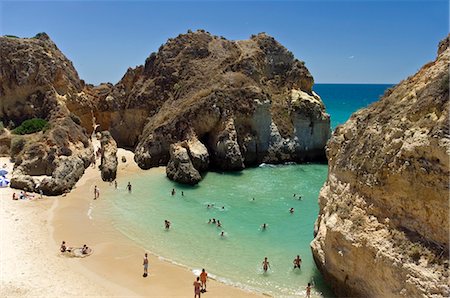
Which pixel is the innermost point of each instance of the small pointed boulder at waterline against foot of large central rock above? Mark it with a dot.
(180, 167)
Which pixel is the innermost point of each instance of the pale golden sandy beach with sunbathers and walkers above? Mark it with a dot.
(31, 264)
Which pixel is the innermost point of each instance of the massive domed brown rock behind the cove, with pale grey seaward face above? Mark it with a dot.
(246, 101)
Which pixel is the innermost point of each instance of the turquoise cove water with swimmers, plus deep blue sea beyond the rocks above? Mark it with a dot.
(242, 201)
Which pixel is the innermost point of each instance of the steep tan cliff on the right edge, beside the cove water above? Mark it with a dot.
(383, 225)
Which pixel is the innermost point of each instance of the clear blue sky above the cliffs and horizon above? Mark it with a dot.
(340, 41)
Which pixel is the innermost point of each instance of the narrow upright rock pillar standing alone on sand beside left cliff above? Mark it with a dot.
(108, 166)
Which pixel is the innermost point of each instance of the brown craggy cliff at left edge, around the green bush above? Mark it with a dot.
(38, 81)
